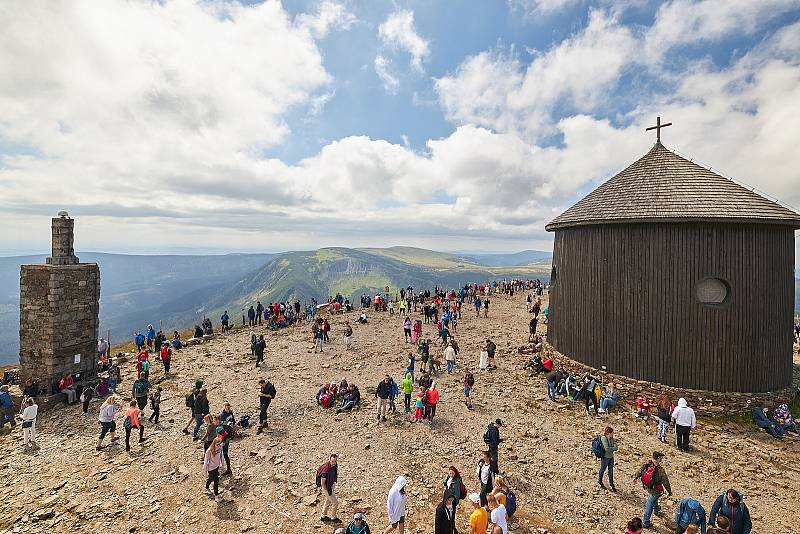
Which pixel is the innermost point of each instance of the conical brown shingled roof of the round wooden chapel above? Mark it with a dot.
(664, 187)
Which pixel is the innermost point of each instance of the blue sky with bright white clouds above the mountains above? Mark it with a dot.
(187, 126)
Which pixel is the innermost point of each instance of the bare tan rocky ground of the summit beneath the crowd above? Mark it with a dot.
(67, 486)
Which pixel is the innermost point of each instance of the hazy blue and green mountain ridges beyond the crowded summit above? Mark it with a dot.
(181, 290)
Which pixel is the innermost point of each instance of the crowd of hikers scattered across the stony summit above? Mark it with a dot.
(492, 501)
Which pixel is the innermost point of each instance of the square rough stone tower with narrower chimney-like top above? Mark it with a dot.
(59, 305)
